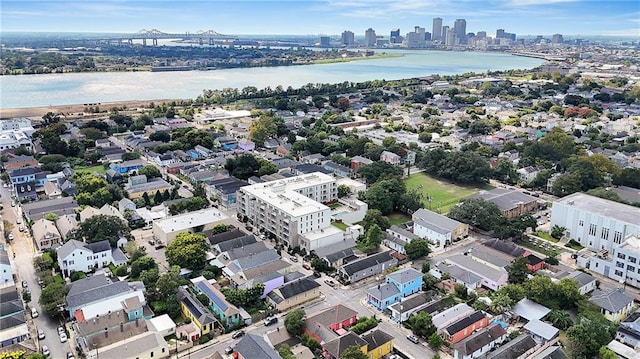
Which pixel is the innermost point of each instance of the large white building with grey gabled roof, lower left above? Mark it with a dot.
(98, 295)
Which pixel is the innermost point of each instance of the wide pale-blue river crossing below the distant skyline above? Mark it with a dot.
(96, 87)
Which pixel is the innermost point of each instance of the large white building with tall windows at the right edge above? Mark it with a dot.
(594, 222)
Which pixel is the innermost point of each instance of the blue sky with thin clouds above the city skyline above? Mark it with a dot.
(305, 17)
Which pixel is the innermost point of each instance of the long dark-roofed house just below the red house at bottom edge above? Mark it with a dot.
(479, 343)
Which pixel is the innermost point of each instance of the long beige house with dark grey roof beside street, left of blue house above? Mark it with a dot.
(294, 293)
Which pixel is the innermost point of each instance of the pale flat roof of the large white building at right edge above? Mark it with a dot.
(603, 207)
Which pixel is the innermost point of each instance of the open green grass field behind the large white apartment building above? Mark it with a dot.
(444, 195)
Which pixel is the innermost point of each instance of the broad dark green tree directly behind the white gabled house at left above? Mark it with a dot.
(102, 227)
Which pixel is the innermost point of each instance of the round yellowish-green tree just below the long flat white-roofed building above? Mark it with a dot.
(188, 250)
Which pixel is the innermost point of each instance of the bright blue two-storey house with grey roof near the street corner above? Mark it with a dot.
(398, 285)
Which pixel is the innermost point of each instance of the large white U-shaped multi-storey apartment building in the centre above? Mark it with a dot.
(290, 208)
